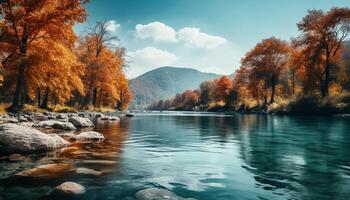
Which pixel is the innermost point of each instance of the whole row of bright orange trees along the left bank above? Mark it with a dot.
(45, 63)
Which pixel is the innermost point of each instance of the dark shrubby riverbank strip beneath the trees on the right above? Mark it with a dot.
(338, 106)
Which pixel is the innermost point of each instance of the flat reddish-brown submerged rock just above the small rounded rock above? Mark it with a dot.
(47, 171)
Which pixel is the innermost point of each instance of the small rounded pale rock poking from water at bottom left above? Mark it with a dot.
(69, 188)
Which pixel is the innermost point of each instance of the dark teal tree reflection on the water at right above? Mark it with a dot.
(298, 155)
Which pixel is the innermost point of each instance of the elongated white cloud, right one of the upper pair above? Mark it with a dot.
(194, 36)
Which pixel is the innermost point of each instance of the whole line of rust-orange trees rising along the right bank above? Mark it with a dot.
(315, 64)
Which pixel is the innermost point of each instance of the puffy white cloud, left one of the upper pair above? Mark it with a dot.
(156, 31)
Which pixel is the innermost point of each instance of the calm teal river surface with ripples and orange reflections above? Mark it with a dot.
(204, 156)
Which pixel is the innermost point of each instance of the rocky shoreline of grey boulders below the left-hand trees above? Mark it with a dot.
(24, 133)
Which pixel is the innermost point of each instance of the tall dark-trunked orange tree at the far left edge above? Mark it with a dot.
(25, 22)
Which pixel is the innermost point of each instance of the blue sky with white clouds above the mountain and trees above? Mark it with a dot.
(208, 35)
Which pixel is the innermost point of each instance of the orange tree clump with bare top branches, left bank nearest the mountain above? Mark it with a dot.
(104, 79)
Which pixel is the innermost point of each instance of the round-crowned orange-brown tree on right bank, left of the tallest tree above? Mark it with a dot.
(266, 62)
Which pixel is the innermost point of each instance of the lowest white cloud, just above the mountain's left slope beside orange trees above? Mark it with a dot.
(148, 58)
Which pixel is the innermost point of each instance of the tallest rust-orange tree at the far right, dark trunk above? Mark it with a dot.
(324, 34)
